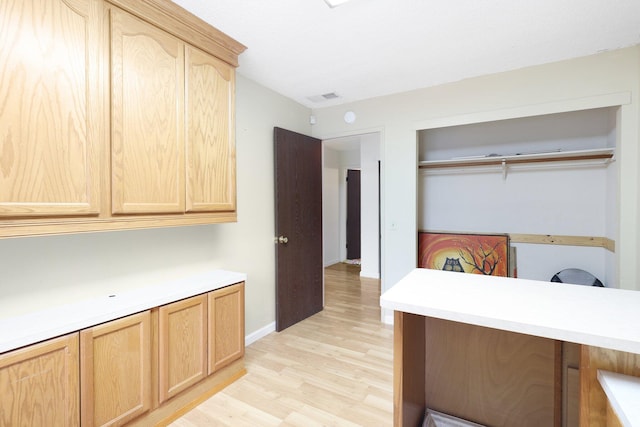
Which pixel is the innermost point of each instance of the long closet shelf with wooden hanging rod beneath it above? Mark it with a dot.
(599, 154)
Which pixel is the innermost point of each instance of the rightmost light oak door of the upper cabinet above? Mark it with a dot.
(210, 144)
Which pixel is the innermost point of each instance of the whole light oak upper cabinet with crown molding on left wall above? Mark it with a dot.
(122, 116)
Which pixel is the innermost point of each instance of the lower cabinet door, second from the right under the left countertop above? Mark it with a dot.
(183, 345)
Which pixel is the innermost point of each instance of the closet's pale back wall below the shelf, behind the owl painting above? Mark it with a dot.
(542, 201)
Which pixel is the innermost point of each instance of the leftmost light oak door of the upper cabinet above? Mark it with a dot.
(49, 119)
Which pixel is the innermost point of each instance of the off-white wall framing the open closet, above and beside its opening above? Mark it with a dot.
(595, 81)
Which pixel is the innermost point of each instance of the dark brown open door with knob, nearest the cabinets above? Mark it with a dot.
(298, 204)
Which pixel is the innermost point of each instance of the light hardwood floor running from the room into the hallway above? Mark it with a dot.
(332, 369)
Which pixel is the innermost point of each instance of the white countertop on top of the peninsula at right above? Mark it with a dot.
(602, 317)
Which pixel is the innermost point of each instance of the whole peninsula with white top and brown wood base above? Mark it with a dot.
(489, 349)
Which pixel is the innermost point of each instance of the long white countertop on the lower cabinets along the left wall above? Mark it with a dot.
(45, 323)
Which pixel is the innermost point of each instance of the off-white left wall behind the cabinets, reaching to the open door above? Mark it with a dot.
(38, 267)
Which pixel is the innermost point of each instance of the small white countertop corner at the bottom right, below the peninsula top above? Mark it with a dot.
(623, 392)
